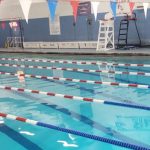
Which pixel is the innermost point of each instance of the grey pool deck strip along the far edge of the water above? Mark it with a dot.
(131, 52)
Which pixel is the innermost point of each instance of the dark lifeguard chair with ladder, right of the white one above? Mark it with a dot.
(123, 32)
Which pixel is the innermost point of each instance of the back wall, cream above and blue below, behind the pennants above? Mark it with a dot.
(38, 27)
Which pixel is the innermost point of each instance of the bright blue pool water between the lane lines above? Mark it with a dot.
(124, 124)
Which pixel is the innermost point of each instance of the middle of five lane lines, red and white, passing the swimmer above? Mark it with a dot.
(80, 81)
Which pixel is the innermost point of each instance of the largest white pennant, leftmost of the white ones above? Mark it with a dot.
(25, 5)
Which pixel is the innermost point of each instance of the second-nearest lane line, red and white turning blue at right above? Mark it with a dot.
(76, 98)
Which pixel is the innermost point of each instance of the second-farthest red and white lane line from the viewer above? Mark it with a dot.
(78, 70)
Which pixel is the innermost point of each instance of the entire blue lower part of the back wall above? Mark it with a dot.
(38, 29)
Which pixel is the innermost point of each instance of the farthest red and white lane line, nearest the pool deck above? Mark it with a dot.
(76, 62)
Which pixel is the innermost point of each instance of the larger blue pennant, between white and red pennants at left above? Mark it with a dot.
(52, 4)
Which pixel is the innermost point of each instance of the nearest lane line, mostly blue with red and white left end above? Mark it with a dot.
(74, 132)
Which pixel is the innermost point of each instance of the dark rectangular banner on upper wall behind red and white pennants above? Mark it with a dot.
(84, 8)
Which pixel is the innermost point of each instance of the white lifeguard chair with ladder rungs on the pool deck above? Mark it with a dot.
(106, 34)
